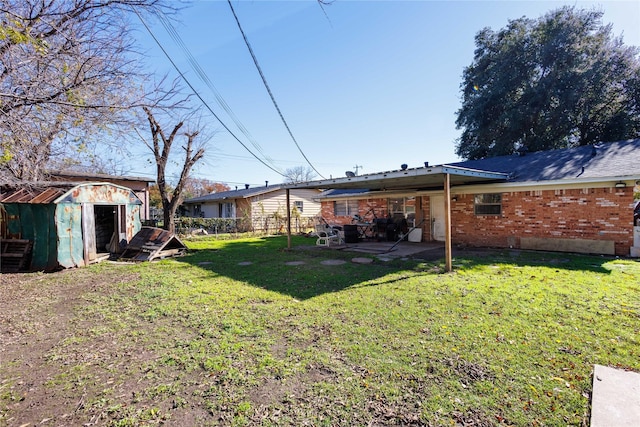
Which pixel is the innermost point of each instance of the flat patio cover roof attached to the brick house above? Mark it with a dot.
(423, 178)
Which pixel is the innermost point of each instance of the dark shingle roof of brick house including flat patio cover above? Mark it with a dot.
(613, 160)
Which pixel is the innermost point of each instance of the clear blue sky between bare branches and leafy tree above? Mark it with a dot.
(372, 84)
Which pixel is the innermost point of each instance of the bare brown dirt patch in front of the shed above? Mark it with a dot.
(35, 316)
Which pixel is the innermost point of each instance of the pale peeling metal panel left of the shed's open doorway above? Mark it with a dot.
(69, 225)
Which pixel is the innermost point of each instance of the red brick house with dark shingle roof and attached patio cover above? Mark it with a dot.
(574, 200)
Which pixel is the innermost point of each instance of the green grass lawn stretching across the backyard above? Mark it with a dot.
(508, 338)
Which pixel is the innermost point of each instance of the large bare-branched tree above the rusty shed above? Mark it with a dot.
(68, 70)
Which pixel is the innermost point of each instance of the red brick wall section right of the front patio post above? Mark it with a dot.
(591, 213)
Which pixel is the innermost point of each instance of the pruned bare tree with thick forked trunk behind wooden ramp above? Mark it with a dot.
(161, 145)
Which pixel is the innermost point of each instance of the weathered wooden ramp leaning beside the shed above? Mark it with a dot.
(153, 243)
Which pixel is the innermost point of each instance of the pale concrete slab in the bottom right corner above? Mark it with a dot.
(616, 398)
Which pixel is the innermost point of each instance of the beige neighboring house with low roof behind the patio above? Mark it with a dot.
(258, 208)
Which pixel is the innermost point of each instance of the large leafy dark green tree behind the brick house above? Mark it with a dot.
(559, 81)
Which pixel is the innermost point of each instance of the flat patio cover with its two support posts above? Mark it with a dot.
(437, 178)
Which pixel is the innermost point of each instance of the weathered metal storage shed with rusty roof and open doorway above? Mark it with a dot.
(65, 225)
